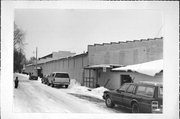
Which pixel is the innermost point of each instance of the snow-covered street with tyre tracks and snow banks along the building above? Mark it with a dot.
(33, 96)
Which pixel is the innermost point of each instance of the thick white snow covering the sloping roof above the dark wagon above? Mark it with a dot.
(149, 68)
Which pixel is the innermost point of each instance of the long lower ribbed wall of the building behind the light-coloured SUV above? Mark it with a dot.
(72, 65)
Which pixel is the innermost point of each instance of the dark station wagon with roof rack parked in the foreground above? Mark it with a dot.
(139, 97)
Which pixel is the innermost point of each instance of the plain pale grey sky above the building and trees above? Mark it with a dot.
(73, 29)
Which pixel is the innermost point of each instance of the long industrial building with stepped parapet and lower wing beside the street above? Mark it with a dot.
(96, 66)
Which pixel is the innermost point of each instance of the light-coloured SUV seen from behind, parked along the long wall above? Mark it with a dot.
(59, 78)
